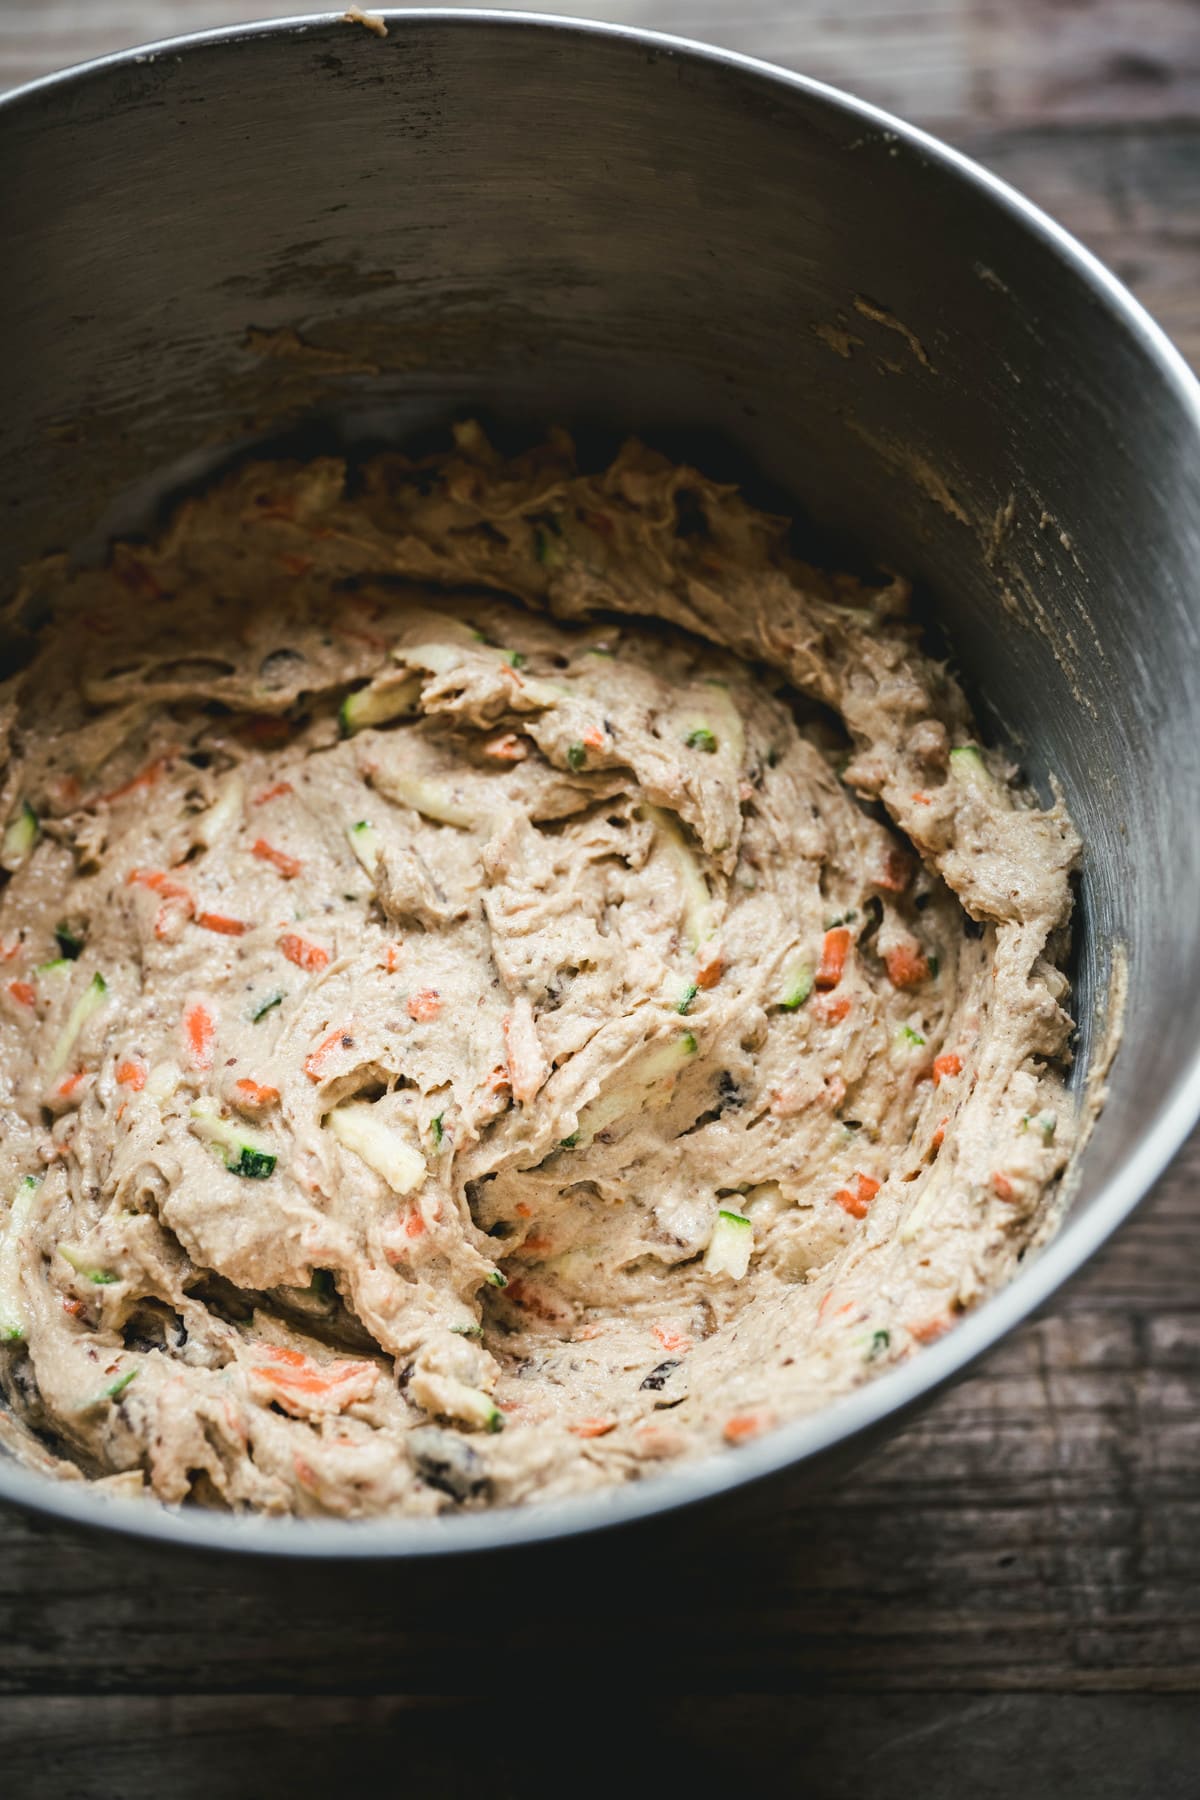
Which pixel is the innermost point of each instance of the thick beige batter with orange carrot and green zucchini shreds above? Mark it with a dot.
(510, 980)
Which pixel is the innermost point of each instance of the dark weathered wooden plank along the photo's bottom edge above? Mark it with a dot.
(837, 1749)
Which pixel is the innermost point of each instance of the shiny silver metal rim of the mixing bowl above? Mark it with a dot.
(936, 1365)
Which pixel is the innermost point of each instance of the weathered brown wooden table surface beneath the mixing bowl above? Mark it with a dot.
(1007, 1601)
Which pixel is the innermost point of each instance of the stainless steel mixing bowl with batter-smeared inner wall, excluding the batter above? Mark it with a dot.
(309, 226)
